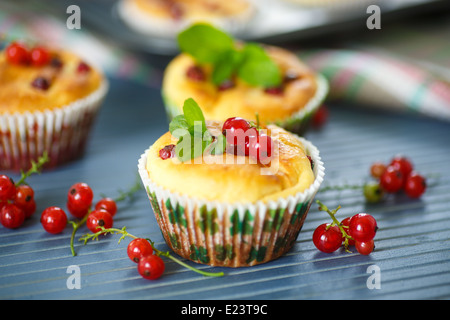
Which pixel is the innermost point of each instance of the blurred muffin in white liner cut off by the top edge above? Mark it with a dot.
(167, 18)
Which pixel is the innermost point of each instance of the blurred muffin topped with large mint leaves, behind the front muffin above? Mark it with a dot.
(288, 100)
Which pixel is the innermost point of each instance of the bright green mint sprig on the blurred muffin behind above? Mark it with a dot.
(211, 46)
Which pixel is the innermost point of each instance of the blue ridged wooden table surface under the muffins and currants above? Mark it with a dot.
(411, 259)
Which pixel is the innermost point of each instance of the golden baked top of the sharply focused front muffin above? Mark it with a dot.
(233, 178)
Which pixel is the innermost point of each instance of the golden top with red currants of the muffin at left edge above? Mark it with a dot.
(57, 79)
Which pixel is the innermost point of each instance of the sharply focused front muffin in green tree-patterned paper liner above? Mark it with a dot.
(223, 209)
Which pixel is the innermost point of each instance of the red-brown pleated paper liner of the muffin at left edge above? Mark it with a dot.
(62, 133)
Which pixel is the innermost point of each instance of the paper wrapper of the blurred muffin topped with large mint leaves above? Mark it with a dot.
(297, 123)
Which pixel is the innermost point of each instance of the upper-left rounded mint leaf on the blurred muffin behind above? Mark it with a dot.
(204, 42)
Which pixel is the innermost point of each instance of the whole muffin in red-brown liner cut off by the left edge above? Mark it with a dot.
(49, 99)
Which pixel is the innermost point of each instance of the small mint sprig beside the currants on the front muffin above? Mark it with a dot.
(193, 135)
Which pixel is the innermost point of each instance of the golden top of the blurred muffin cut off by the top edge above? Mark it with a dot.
(191, 9)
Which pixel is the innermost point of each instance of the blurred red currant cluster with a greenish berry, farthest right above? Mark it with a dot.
(394, 177)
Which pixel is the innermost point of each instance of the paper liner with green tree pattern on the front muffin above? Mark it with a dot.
(238, 240)
